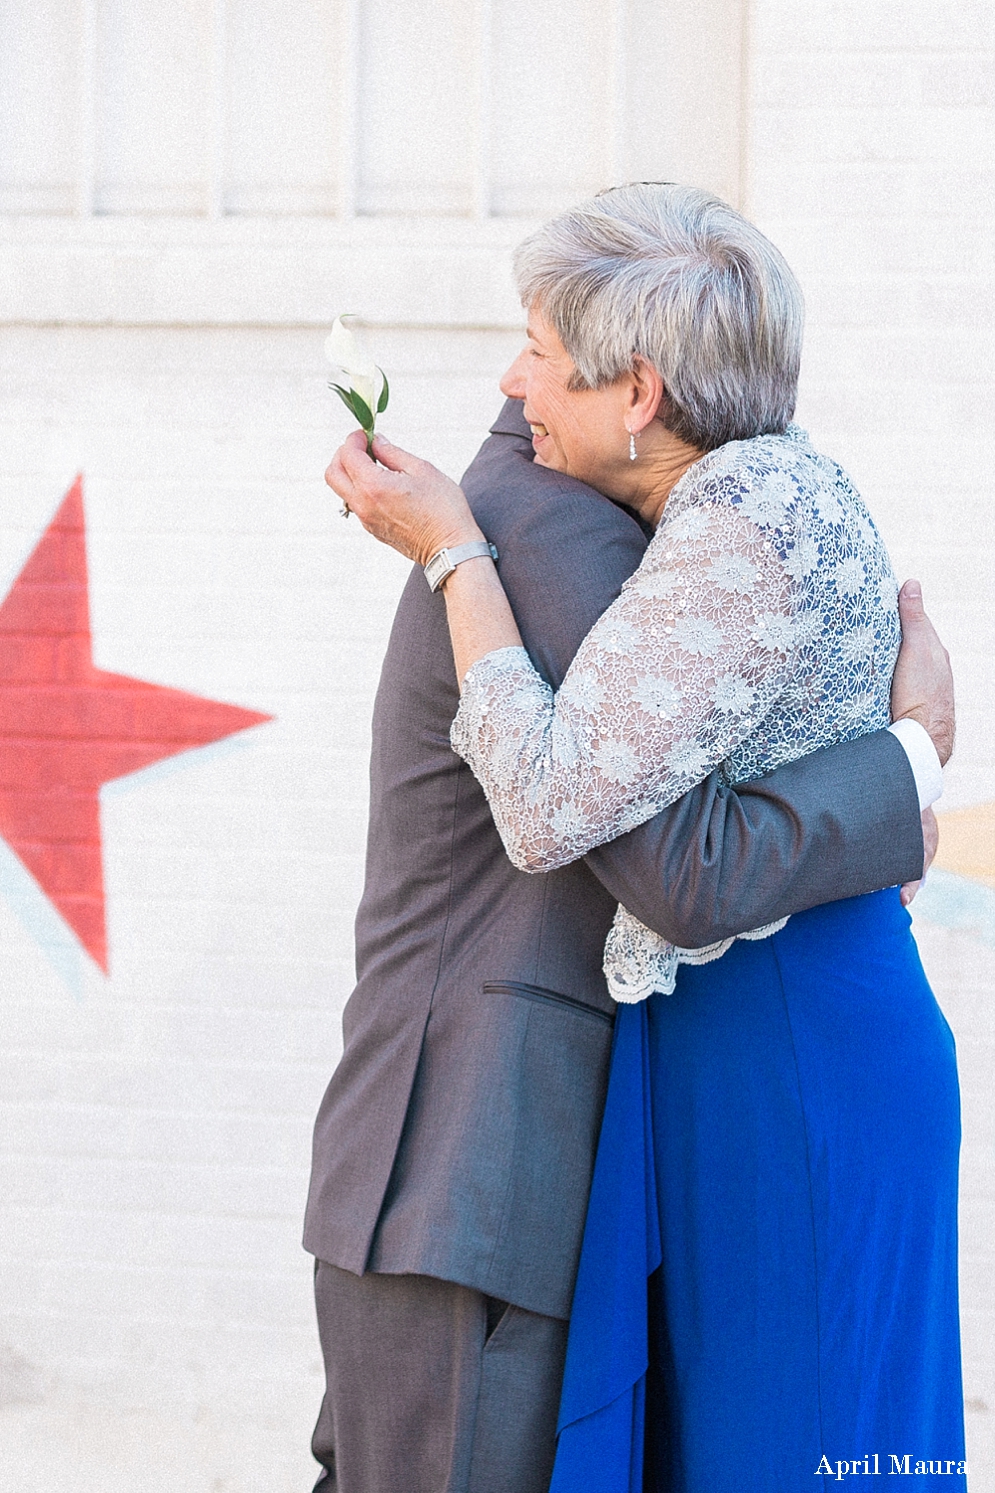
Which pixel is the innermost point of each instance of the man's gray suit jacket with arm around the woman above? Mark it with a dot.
(458, 1134)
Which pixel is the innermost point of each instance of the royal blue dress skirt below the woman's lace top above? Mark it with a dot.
(769, 1283)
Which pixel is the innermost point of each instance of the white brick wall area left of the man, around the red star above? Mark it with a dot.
(156, 1125)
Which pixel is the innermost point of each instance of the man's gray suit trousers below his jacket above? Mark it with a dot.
(434, 1388)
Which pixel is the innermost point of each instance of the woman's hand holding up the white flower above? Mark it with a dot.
(404, 502)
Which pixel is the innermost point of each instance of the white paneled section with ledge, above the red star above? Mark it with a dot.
(249, 160)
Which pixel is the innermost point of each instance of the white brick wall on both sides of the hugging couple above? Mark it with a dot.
(156, 1125)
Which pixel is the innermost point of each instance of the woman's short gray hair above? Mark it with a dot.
(685, 281)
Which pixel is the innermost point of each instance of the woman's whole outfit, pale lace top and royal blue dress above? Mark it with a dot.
(769, 1277)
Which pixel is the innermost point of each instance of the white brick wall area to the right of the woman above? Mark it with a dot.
(873, 168)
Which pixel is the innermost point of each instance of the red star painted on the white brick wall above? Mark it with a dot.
(68, 728)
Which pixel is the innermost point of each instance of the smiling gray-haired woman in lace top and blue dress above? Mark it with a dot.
(769, 1279)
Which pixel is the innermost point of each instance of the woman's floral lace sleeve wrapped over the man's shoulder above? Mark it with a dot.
(672, 679)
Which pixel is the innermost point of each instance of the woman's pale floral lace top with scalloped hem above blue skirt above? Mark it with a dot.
(761, 625)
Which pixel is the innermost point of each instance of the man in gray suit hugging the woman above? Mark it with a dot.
(455, 1146)
